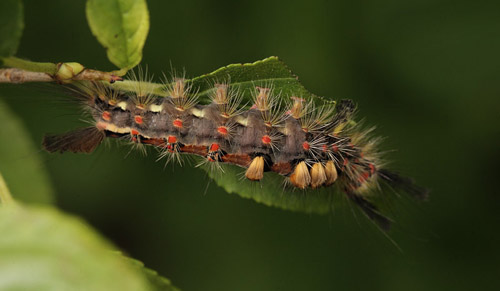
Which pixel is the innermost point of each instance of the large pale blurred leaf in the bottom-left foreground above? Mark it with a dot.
(43, 249)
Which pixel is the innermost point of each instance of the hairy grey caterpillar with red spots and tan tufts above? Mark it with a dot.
(311, 146)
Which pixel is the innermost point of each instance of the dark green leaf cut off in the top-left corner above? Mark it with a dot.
(11, 26)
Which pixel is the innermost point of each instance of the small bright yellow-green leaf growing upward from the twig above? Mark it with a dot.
(121, 26)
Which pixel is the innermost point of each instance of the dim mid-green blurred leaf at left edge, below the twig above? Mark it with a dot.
(20, 163)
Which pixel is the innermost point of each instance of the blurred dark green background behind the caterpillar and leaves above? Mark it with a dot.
(425, 72)
